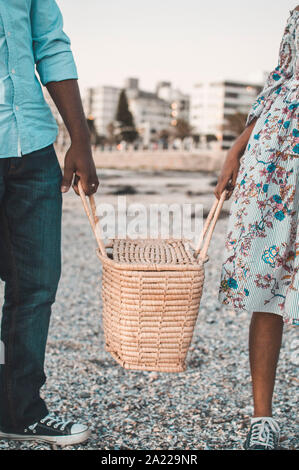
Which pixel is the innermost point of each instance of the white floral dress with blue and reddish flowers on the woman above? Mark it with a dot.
(260, 269)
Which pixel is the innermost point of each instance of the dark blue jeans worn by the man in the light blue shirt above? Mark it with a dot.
(30, 264)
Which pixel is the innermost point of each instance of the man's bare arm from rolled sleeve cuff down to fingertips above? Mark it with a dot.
(78, 159)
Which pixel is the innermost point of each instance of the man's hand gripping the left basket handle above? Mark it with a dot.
(79, 162)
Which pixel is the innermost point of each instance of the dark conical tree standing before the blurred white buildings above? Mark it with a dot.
(124, 117)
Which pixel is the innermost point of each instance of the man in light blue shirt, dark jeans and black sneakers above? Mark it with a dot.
(30, 206)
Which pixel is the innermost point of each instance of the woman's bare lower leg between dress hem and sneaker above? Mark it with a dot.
(264, 345)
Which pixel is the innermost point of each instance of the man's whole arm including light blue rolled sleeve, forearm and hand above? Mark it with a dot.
(57, 70)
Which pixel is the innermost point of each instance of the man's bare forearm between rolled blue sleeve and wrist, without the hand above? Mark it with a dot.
(66, 96)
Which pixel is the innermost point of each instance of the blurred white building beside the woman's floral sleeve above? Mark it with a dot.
(212, 103)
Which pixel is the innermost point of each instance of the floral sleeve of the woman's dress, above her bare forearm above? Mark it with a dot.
(283, 71)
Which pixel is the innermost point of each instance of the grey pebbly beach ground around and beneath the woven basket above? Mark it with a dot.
(206, 407)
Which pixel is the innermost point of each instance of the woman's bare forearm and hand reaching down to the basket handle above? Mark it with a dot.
(230, 169)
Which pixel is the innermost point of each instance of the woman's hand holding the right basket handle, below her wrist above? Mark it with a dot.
(228, 175)
